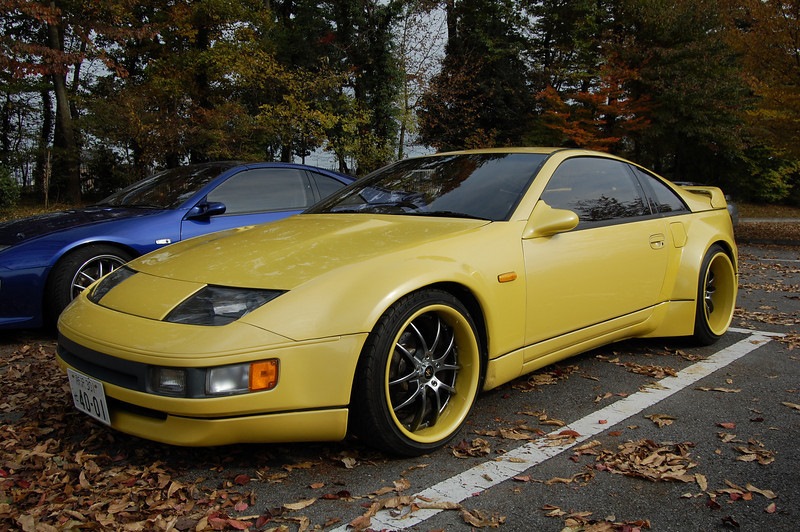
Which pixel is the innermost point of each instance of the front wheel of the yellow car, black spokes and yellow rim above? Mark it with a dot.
(418, 376)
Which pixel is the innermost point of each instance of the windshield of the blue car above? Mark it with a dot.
(167, 189)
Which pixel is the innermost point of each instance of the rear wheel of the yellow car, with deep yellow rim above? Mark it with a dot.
(716, 296)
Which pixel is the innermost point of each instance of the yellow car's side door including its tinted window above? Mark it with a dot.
(607, 271)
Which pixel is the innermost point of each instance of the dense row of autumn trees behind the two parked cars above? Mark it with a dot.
(96, 94)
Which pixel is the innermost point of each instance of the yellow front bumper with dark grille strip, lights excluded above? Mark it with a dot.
(308, 404)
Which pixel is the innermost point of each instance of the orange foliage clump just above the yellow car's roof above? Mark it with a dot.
(598, 118)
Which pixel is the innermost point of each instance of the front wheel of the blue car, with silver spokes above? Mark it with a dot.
(76, 271)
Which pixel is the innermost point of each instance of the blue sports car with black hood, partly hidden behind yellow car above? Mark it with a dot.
(46, 260)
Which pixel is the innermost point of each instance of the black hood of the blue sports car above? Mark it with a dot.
(18, 231)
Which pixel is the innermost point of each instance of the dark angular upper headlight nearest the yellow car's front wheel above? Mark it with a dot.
(220, 305)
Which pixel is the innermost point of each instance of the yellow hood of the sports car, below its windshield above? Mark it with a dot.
(284, 254)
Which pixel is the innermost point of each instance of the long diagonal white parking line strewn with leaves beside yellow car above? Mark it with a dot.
(488, 474)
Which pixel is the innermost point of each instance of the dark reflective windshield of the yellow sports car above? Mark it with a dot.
(477, 185)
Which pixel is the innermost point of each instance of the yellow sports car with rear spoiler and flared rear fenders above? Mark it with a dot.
(384, 310)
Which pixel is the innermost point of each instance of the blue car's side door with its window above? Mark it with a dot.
(255, 196)
